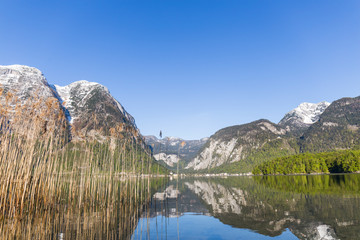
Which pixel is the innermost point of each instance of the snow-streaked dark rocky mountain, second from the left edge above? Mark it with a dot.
(90, 105)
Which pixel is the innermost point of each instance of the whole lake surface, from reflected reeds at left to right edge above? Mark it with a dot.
(268, 207)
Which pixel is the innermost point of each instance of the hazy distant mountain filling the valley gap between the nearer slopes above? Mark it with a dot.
(171, 150)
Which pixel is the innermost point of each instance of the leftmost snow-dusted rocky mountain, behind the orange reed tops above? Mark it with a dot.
(26, 100)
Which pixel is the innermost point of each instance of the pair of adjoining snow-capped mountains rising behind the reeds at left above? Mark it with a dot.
(88, 105)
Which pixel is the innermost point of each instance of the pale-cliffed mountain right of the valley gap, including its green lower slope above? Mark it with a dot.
(241, 147)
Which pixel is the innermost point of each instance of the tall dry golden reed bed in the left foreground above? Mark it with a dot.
(44, 175)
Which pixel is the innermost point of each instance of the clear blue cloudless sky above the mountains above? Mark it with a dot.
(192, 67)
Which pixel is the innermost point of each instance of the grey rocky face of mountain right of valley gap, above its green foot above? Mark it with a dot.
(238, 143)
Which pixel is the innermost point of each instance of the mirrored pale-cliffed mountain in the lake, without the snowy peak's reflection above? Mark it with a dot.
(237, 207)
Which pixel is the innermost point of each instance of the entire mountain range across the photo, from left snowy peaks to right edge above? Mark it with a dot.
(92, 112)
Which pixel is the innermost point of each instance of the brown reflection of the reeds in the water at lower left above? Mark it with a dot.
(115, 218)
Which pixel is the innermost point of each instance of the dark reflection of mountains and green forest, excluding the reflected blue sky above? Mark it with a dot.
(254, 203)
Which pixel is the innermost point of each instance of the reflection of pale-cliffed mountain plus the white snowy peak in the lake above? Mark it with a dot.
(241, 207)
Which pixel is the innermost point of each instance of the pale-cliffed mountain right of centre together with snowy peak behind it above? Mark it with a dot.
(257, 141)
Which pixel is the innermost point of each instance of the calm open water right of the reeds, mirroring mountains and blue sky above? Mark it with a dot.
(274, 207)
